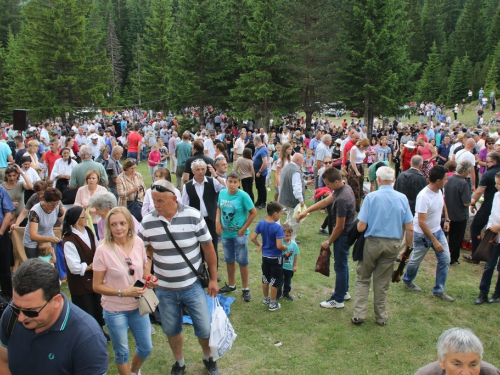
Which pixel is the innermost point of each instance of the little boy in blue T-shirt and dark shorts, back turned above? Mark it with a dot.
(272, 248)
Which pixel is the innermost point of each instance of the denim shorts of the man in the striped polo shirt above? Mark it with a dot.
(195, 300)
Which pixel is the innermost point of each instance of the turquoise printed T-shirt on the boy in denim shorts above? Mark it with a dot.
(234, 212)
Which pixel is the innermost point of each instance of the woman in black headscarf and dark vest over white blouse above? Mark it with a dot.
(79, 244)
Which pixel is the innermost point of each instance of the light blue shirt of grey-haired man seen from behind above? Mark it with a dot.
(385, 211)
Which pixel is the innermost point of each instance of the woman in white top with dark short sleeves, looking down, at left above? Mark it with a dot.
(41, 220)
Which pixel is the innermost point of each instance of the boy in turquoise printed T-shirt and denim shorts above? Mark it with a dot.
(235, 213)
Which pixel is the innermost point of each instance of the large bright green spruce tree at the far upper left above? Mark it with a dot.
(58, 66)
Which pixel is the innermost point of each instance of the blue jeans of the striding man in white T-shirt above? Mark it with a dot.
(421, 245)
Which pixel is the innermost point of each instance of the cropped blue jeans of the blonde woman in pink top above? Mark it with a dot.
(118, 323)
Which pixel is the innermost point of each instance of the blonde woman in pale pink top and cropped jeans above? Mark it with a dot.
(119, 262)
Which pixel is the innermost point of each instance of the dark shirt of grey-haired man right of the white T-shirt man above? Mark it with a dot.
(456, 194)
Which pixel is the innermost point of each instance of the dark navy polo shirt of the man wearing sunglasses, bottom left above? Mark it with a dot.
(74, 344)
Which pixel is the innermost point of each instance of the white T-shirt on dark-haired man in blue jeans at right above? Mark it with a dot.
(430, 203)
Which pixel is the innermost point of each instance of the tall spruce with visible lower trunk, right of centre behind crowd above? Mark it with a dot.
(373, 73)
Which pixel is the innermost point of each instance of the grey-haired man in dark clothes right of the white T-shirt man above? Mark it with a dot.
(457, 196)
